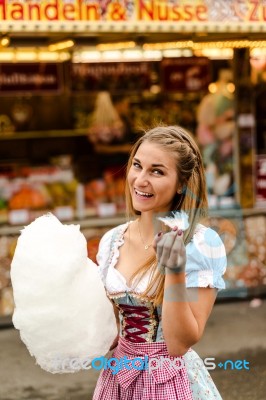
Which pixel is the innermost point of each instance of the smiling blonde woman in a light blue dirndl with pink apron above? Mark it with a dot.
(163, 289)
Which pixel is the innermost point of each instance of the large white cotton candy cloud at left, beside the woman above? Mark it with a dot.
(62, 311)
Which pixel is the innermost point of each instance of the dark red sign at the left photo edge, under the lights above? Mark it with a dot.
(32, 77)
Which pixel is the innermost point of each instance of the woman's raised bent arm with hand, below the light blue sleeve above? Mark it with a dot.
(184, 311)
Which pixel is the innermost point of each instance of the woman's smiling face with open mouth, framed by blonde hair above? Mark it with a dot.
(152, 178)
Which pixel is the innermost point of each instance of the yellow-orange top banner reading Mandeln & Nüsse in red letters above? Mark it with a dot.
(199, 11)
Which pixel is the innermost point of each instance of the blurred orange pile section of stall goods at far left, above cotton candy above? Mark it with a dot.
(37, 189)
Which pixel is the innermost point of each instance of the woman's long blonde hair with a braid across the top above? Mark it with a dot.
(193, 198)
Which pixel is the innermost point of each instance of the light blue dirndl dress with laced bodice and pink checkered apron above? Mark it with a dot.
(141, 336)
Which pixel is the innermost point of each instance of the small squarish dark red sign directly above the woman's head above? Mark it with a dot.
(189, 74)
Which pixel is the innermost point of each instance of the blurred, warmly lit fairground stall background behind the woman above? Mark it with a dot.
(79, 82)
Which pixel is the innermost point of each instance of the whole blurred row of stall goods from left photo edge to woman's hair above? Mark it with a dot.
(36, 190)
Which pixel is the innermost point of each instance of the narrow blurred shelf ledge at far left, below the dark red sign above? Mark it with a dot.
(44, 134)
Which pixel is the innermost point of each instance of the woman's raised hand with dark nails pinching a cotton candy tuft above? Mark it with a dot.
(171, 252)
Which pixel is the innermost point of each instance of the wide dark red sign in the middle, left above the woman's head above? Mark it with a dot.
(129, 76)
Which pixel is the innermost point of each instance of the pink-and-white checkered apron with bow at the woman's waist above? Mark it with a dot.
(164, 383)
